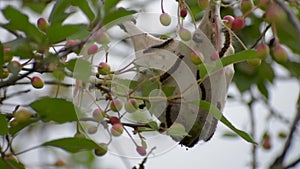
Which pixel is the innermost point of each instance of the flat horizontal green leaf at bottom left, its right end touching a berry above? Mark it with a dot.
(73, 145)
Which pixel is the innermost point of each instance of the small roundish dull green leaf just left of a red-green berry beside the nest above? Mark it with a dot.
(82, 70)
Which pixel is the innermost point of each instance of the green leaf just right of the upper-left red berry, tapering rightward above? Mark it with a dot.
(57, 32)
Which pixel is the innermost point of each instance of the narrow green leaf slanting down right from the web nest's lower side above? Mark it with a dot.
(218, 115)
